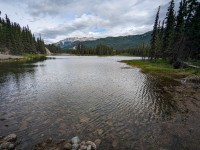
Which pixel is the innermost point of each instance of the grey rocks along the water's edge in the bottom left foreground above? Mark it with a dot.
(10, 142)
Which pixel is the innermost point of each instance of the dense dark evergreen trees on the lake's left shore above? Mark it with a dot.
(18, 40)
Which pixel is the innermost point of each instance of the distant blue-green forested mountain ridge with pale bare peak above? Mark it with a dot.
(121, 42)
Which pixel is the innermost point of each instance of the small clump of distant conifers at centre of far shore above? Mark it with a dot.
(99, 49)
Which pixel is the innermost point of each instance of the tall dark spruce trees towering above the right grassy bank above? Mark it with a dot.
(178, 38)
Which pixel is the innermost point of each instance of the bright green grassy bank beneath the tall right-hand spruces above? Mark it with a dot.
(160, 67)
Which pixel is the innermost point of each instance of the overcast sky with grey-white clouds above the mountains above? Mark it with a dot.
(59, 19)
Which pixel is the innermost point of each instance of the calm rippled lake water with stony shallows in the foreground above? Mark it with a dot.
(93, 98)
